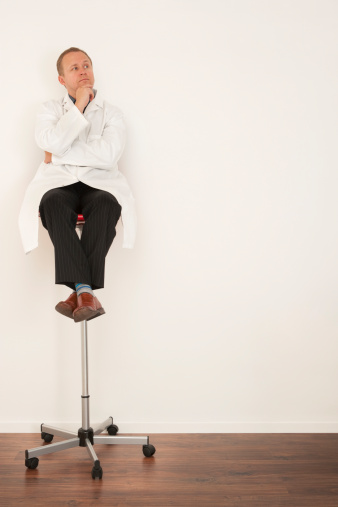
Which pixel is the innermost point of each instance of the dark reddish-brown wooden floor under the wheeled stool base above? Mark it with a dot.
(237, 470)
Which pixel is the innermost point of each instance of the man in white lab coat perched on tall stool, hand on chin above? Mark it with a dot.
(83, 138)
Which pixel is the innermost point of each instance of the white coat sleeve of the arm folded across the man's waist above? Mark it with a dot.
(99, 151)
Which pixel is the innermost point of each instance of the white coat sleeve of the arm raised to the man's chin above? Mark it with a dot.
(56, 134)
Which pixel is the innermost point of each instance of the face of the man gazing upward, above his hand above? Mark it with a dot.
(77, 72)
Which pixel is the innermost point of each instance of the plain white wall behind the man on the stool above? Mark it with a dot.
(224, 316)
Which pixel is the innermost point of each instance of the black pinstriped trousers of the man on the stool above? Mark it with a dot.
(80, 260)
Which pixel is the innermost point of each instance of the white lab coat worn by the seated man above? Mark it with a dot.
(85, 147)
